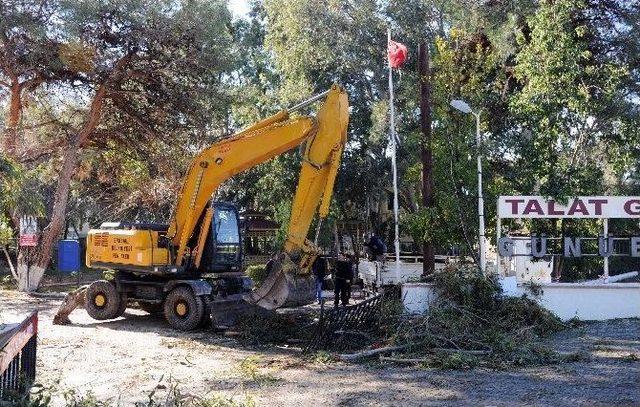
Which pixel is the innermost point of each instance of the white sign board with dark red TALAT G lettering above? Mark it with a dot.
(581, 207)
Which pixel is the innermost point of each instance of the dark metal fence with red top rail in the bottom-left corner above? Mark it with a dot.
(18, 357)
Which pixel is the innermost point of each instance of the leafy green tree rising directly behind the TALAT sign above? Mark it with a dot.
(567, 104)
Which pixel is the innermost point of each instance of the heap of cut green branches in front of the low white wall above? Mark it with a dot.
(471, 323)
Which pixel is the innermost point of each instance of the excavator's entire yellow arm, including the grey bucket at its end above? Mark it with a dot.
(324, 137)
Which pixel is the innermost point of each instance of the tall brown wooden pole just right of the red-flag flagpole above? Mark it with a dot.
(426, 155)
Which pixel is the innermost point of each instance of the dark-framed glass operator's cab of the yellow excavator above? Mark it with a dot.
(227, 243)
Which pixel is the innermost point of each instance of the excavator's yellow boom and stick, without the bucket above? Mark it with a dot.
(324, 136)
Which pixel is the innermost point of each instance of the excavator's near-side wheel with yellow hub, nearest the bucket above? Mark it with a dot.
(183, 310)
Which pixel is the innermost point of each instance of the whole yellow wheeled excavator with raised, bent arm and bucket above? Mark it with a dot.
(191, 269)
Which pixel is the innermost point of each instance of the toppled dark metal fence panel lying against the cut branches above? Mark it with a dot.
(350, 327)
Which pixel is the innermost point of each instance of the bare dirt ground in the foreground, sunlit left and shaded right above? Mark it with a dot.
(123, 360)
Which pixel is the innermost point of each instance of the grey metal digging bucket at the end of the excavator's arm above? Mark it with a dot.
(284, 286)
